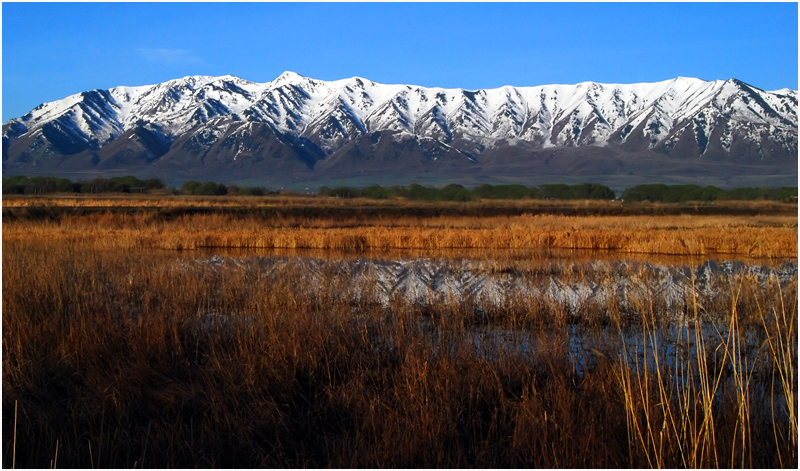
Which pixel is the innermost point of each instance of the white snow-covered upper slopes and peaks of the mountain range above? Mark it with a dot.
(334, 112)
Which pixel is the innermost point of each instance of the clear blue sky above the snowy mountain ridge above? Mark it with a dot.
(51, 50)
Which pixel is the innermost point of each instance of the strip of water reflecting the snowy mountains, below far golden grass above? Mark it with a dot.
(491, 283)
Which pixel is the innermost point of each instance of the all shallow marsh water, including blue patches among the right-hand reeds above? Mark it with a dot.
(689, 301)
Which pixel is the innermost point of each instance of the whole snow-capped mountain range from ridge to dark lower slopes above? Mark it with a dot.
(296, 130)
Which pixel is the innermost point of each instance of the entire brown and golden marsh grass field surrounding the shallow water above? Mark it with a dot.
(120, 351)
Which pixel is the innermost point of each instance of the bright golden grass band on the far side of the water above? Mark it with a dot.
(400, 225)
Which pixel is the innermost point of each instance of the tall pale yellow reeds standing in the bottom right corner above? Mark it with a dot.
(698, 399)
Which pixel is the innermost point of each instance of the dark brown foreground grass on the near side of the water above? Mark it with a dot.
(128, 358)
